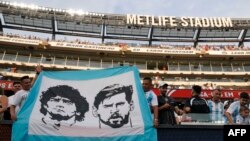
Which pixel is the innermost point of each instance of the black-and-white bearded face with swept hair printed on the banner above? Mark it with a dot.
(112, 105)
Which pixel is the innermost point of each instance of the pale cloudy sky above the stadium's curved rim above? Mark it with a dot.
(178, 8)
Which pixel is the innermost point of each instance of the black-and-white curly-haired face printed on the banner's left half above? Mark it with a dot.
(62, 105)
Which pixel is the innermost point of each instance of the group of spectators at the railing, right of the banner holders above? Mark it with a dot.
(198, 109)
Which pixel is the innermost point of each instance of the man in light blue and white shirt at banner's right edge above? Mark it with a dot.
(151, 98)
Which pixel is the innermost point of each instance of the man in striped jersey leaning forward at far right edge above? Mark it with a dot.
(233, 110)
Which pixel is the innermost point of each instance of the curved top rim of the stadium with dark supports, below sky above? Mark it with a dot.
(114, 26)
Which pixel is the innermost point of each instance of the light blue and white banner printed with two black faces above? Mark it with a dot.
(87, 105)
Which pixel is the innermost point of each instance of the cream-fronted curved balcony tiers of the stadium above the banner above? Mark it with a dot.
(177, 67)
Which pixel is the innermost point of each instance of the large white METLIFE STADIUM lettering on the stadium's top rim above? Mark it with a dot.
(172, 21)
